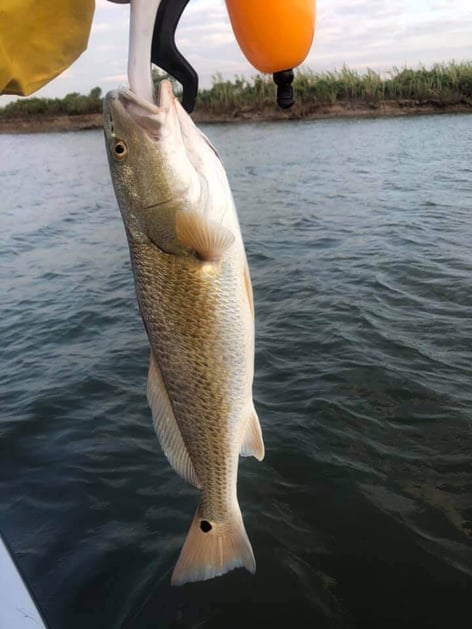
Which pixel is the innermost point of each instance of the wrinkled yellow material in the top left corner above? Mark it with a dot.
(39, 39)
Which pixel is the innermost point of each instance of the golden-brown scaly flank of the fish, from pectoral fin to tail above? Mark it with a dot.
(203, 379)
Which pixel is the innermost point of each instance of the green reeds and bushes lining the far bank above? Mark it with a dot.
(442, 84)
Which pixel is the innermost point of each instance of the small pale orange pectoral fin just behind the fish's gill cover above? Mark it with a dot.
(209, 239)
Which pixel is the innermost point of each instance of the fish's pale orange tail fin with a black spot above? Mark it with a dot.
(212, 549)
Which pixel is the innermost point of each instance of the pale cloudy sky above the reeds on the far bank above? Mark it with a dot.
(377, 34)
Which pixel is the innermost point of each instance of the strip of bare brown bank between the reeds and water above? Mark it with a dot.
(60, 124)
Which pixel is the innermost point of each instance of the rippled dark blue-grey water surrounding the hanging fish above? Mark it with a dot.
(358, 236)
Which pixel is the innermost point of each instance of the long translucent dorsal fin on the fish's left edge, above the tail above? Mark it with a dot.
(166, 425)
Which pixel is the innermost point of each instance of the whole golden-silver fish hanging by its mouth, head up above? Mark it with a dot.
(195, 297)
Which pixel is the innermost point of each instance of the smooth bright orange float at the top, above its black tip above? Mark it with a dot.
(274, 35)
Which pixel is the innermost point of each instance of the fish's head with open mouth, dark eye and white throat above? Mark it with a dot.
(161, 165)
